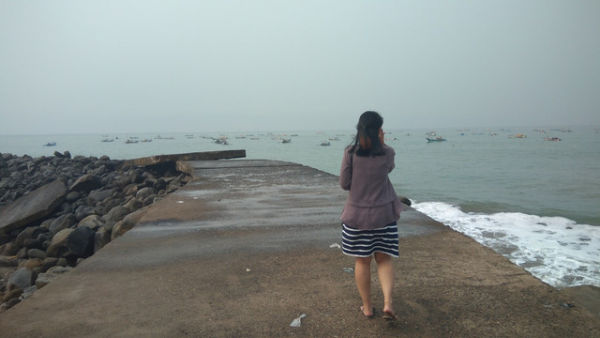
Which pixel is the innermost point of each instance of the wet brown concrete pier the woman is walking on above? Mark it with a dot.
(244, 249)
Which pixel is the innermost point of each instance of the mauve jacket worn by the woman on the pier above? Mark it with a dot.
(372, 202)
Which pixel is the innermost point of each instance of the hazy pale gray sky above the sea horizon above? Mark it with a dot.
(137, 66)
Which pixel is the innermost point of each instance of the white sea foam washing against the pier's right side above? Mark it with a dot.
(556, 250)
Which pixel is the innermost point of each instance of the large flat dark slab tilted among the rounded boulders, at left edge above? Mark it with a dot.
(32, 207)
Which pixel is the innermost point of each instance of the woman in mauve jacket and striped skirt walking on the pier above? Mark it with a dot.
(371, 211)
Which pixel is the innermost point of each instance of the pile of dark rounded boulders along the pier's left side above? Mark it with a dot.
(56, 211)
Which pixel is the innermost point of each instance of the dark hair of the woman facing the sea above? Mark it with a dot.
(367, 129)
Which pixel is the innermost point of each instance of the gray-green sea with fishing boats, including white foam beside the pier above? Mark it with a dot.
(534, 201)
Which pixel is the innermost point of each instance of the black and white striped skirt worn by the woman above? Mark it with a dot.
(363, 243)
